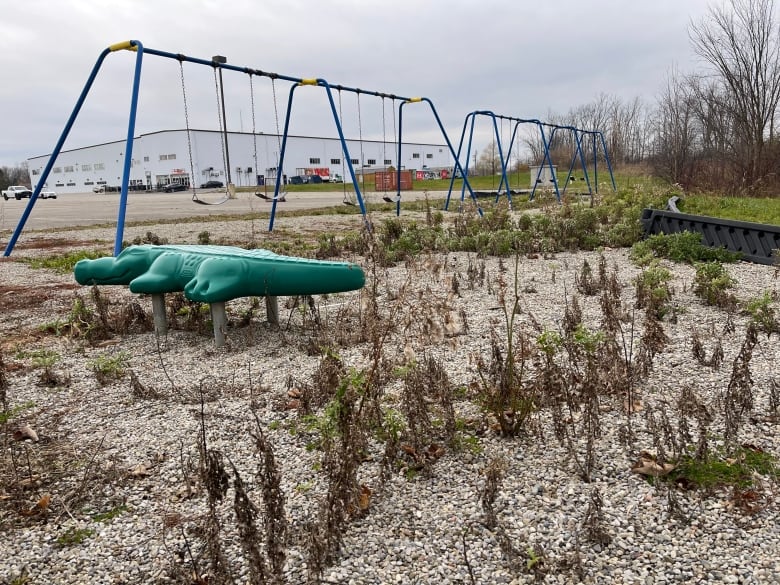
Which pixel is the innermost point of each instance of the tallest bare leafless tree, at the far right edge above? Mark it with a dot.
(742, 46)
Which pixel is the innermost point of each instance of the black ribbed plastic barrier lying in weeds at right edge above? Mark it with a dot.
(756, 241)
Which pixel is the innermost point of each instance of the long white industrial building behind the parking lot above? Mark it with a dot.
(161, 158)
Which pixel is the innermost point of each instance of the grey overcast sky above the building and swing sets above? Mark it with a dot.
(515, 57)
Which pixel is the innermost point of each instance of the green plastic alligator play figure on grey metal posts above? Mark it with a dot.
(215, 275)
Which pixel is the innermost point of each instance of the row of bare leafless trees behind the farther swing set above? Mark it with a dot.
(708, 129)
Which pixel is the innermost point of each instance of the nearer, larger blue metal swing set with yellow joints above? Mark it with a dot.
(219, 64)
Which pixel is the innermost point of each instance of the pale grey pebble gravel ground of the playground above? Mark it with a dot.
(108, 493)
